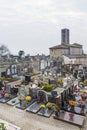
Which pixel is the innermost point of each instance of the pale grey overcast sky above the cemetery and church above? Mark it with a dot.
(35, 25)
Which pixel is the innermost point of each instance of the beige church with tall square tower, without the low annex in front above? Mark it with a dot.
(65, 48)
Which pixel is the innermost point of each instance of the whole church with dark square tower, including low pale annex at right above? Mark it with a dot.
(71, 53)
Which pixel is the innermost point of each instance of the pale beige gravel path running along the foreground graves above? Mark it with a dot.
(29, 121)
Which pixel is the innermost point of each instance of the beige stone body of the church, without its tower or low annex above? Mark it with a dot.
(71, 49)
